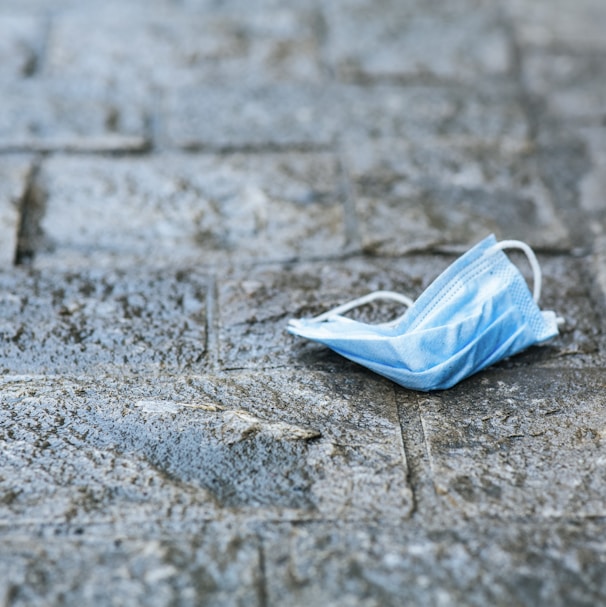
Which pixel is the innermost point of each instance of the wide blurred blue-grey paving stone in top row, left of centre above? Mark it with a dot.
(174, 49)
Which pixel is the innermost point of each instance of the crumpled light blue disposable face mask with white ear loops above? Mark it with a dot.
(477, 312)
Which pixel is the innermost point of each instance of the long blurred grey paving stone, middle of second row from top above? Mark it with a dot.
(307, 116)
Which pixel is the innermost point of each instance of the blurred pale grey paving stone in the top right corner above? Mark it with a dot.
(560, 23)
